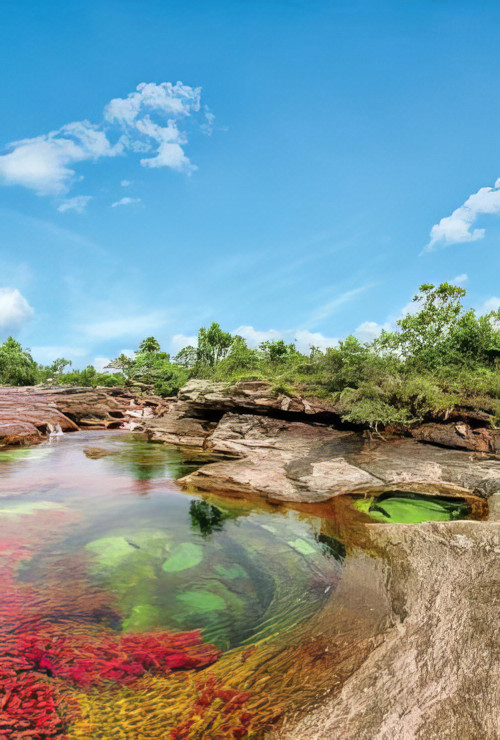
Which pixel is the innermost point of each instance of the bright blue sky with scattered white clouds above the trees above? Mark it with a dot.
(319, 161)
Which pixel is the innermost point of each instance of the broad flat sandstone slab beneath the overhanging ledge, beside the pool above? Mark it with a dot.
(293, 461)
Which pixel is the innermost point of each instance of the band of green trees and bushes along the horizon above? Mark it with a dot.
(440, 357)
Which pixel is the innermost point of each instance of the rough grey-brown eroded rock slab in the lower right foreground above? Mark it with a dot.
(436, 674)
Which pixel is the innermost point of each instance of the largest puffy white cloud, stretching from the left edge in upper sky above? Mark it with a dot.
(149, 120)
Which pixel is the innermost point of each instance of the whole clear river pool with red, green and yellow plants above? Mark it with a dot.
(107, 569)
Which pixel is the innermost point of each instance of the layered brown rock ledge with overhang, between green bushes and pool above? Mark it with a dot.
(291, 449)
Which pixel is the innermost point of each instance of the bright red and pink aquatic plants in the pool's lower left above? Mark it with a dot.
(41, 652)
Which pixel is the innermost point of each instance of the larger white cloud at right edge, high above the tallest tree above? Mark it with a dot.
(457, 228)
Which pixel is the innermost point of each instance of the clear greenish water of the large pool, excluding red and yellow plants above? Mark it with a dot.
(170, 560)
